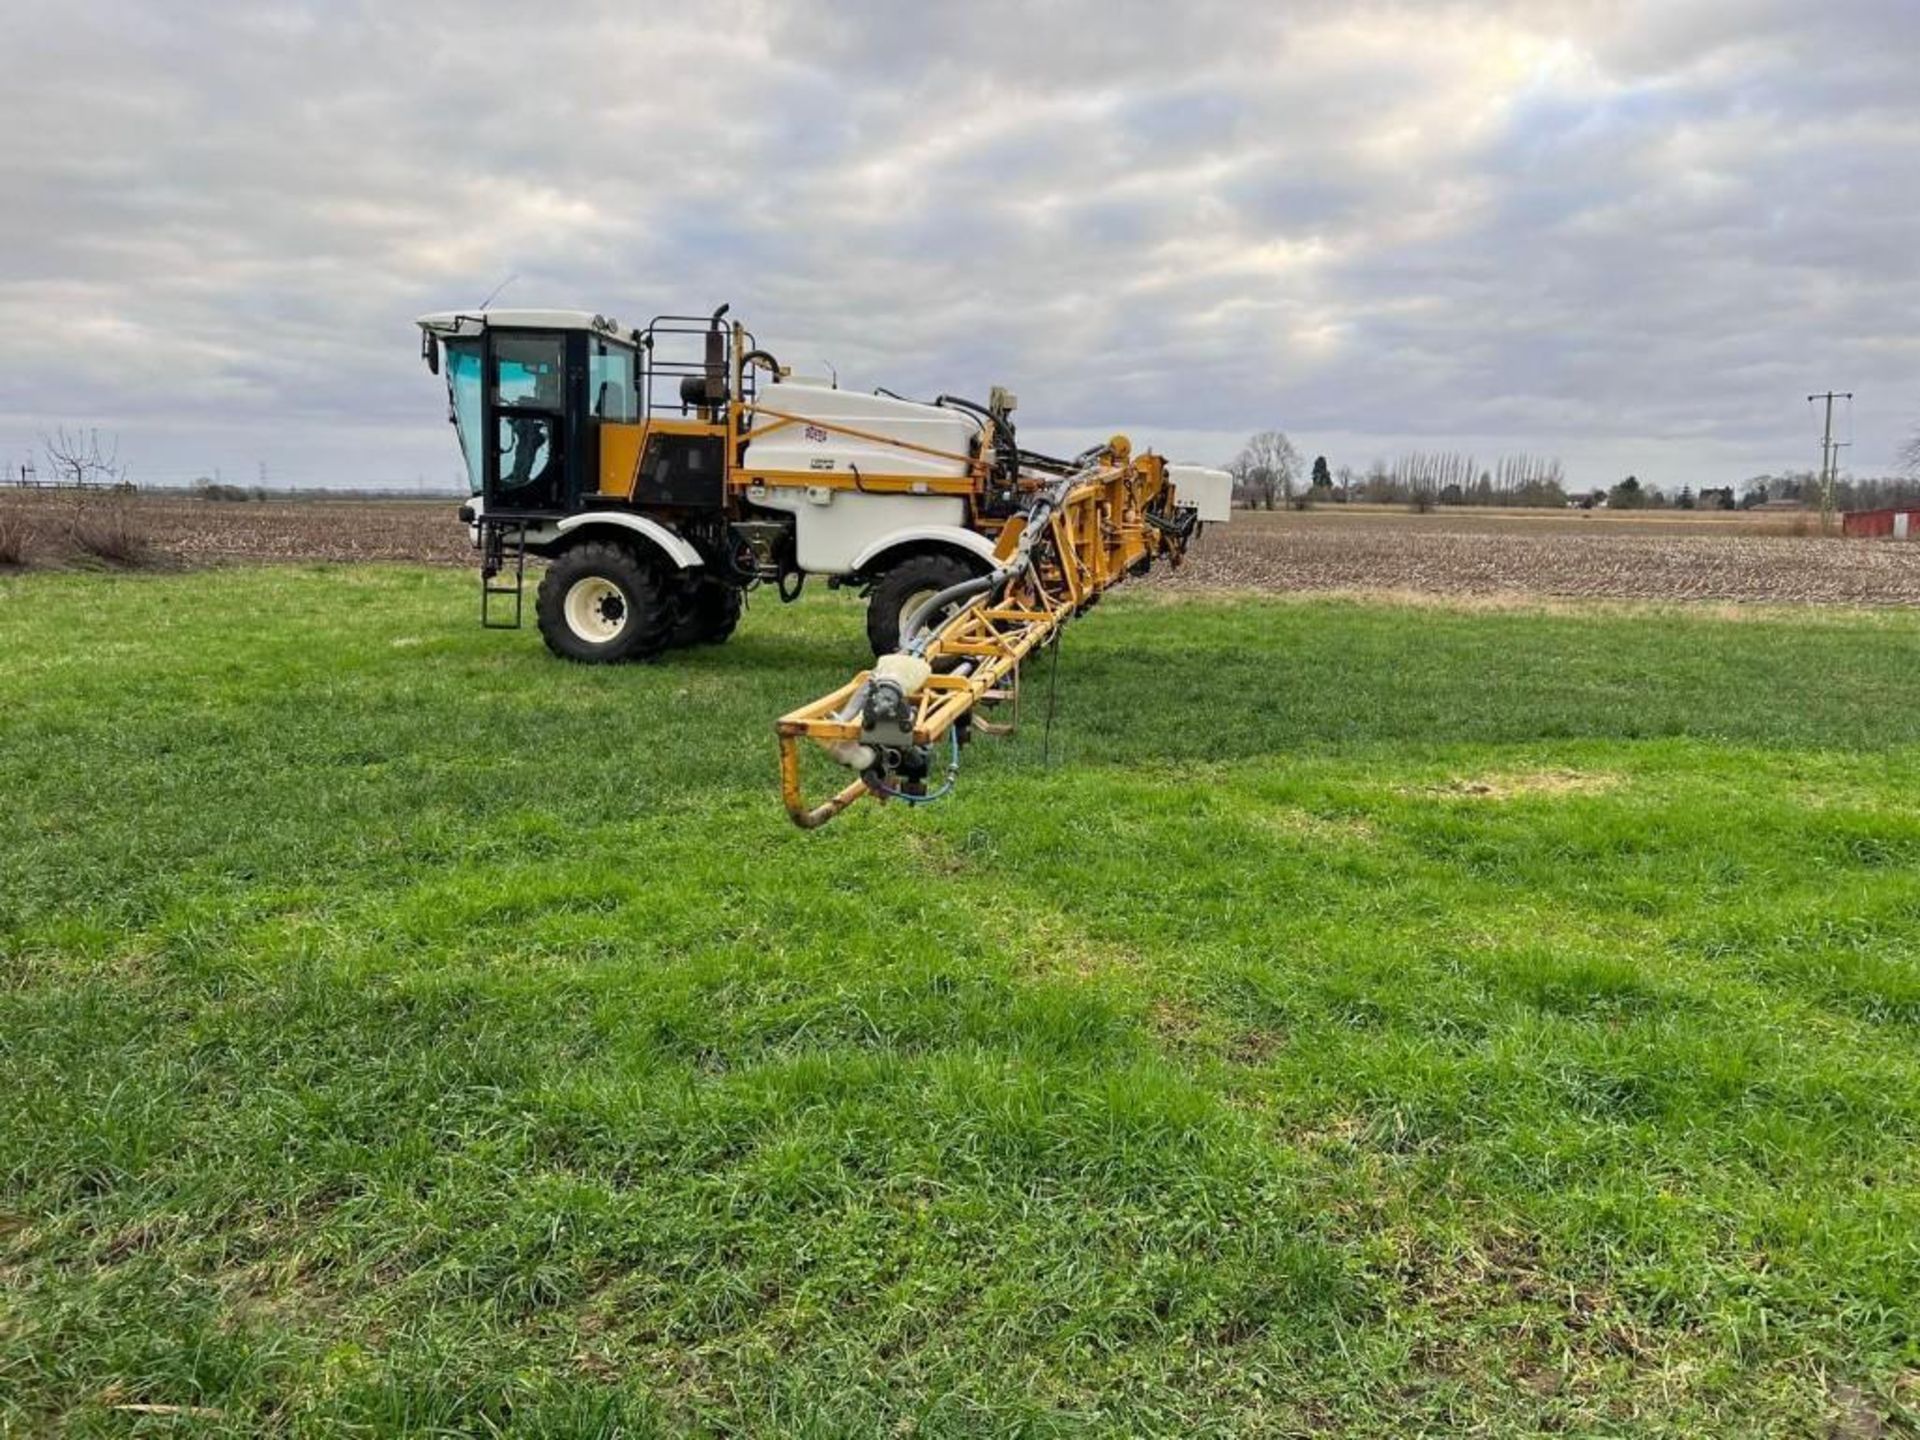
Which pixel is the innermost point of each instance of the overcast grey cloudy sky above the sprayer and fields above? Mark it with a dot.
(1633, 233)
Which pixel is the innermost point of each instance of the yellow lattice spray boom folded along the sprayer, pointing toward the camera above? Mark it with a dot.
(1078, 537)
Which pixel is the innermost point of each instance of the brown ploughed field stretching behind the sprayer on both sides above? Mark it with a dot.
(1472, 554)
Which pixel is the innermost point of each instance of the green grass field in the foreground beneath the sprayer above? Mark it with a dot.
(1372, 1019)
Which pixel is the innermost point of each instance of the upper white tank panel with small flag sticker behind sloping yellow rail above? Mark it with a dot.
(817, 441)
